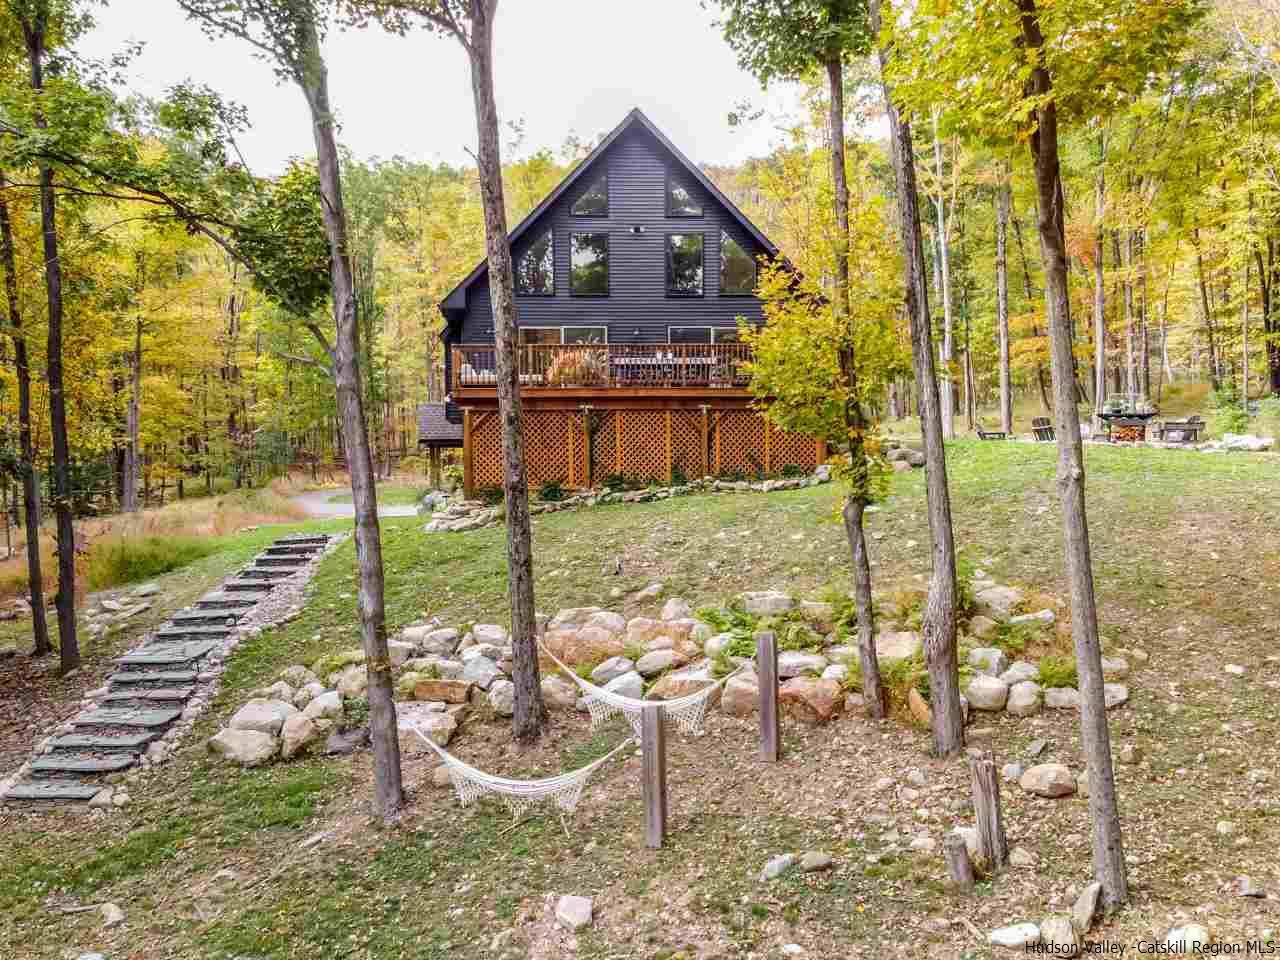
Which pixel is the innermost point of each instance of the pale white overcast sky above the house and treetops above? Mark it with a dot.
(563, 66)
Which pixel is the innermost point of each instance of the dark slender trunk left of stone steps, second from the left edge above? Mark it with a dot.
(34, 33)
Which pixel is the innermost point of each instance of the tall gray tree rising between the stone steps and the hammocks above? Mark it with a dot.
(287, 34)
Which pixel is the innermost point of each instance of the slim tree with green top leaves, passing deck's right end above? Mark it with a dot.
(789, 42)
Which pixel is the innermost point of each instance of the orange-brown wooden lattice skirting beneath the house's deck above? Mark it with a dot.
(583, 449)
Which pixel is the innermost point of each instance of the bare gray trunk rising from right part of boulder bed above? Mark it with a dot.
(940, 609)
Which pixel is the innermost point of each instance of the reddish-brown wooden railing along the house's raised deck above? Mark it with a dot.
(611, 367)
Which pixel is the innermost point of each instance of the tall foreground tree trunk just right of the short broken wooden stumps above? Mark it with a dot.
(1109, 865)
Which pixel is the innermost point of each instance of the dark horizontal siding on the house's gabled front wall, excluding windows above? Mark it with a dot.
(638, 308)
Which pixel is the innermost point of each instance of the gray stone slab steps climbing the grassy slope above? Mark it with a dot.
(153, 685)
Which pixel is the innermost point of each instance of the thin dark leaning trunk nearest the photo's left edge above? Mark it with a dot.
(30, 479)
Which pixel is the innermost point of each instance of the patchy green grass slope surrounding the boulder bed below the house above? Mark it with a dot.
(212, 862)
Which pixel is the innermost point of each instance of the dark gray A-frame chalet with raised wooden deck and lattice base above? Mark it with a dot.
(632, 280)
